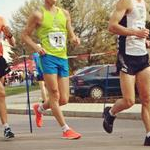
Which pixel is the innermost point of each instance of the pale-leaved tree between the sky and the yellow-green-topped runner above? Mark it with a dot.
(19, 19)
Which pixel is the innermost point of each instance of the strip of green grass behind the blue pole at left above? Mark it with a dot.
(19, 89)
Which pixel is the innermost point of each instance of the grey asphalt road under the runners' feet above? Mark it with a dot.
(127, 135)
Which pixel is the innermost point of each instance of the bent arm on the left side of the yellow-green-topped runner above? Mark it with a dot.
(32, 24)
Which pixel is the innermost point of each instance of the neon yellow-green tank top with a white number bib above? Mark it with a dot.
(53, 33)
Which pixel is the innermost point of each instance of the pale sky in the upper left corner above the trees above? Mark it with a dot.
(7, 7)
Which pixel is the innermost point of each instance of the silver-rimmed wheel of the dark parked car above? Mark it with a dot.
(96, 92)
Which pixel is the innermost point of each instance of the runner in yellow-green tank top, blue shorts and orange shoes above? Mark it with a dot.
(53, 27)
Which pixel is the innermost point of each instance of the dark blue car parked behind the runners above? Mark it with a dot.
(95, 81)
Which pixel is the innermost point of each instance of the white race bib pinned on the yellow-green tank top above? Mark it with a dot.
(57, 39)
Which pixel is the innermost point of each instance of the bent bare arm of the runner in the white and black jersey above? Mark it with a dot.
(122, 8)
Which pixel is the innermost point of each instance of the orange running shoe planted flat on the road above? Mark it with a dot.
(71, 134)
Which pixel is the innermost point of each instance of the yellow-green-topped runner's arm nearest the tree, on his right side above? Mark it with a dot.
(71, 35)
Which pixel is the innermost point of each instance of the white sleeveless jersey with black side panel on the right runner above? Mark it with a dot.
(136, 19)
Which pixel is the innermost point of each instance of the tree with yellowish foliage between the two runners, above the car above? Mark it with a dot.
(90, 24)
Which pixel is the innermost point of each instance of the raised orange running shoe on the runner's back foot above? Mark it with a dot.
(38, 116)
